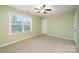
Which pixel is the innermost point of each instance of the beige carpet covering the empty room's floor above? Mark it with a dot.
(41, 44)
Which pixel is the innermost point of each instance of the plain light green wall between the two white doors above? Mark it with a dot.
(61, 25)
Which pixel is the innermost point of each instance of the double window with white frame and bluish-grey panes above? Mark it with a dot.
(20, 24)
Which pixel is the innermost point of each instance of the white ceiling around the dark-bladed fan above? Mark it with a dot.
(56, 9)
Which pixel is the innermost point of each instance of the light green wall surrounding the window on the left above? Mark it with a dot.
(4, 26)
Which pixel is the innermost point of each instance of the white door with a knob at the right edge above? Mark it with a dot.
(76, 29)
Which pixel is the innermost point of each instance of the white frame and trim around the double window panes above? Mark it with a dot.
(10, 32)
